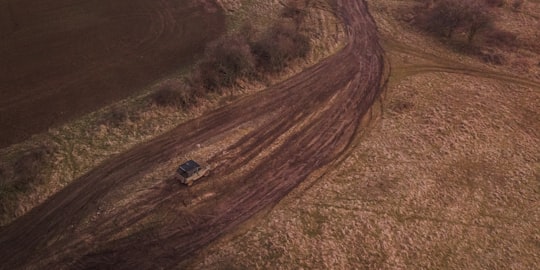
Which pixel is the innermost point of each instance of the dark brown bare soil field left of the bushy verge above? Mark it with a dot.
(62, 59)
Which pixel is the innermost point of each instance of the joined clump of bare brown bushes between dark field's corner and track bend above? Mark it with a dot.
(232, 57)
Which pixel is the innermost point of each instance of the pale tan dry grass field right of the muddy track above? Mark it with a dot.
(445, 176)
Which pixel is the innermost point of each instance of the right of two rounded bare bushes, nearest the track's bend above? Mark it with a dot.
(280, 45)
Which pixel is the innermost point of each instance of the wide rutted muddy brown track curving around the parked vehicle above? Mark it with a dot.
(307, 122)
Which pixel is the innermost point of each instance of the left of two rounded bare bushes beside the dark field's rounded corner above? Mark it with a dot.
(225, 60)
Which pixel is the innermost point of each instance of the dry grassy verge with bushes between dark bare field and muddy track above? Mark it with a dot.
(85, 143)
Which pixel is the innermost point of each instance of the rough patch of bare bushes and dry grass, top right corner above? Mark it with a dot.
(485, 29)
